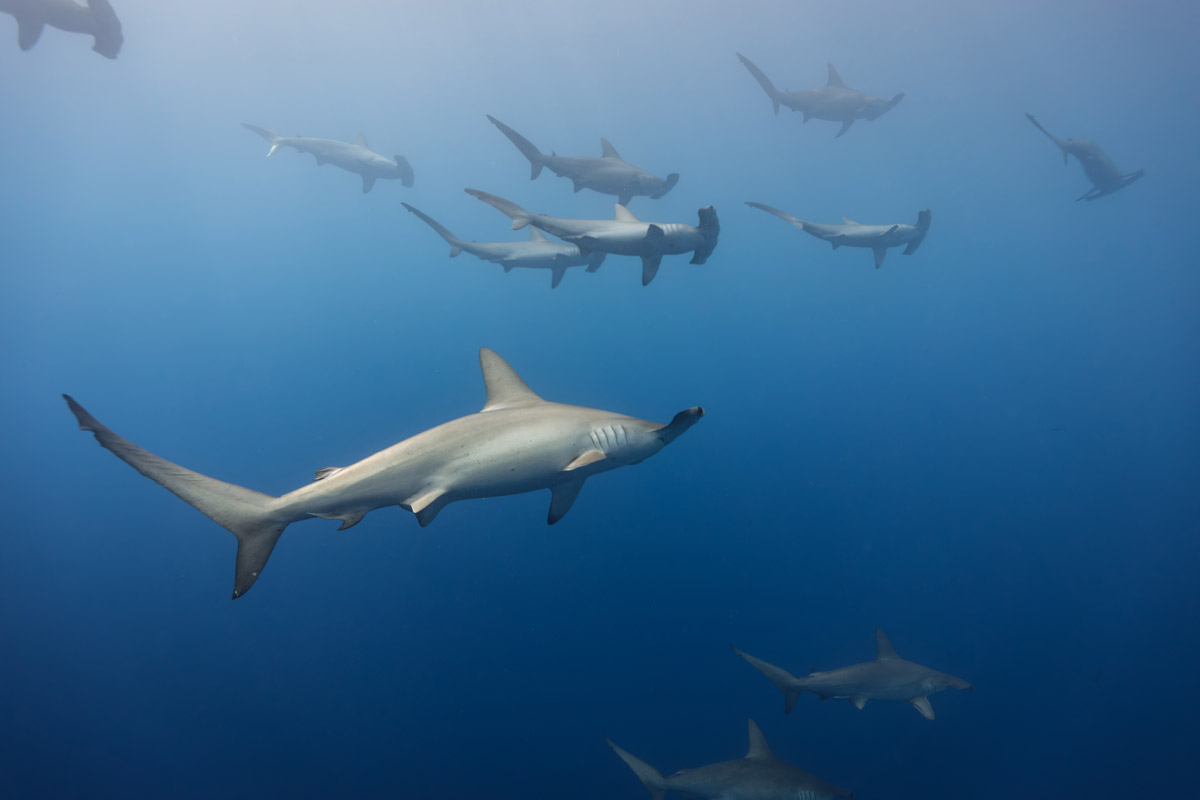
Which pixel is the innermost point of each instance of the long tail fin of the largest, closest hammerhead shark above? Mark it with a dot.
(251, 516)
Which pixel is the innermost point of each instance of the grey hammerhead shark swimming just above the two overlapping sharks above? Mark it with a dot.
(609, 175)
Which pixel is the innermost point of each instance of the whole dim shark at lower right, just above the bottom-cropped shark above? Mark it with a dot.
(887, 678)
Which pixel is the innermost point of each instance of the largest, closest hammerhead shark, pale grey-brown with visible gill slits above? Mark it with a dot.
(518, 443)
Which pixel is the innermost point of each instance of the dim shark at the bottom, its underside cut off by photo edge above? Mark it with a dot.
(759, 777)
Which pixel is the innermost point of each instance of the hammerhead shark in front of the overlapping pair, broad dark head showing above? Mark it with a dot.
(623, 236)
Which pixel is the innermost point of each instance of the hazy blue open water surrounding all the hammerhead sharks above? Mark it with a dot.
(989, 448)
